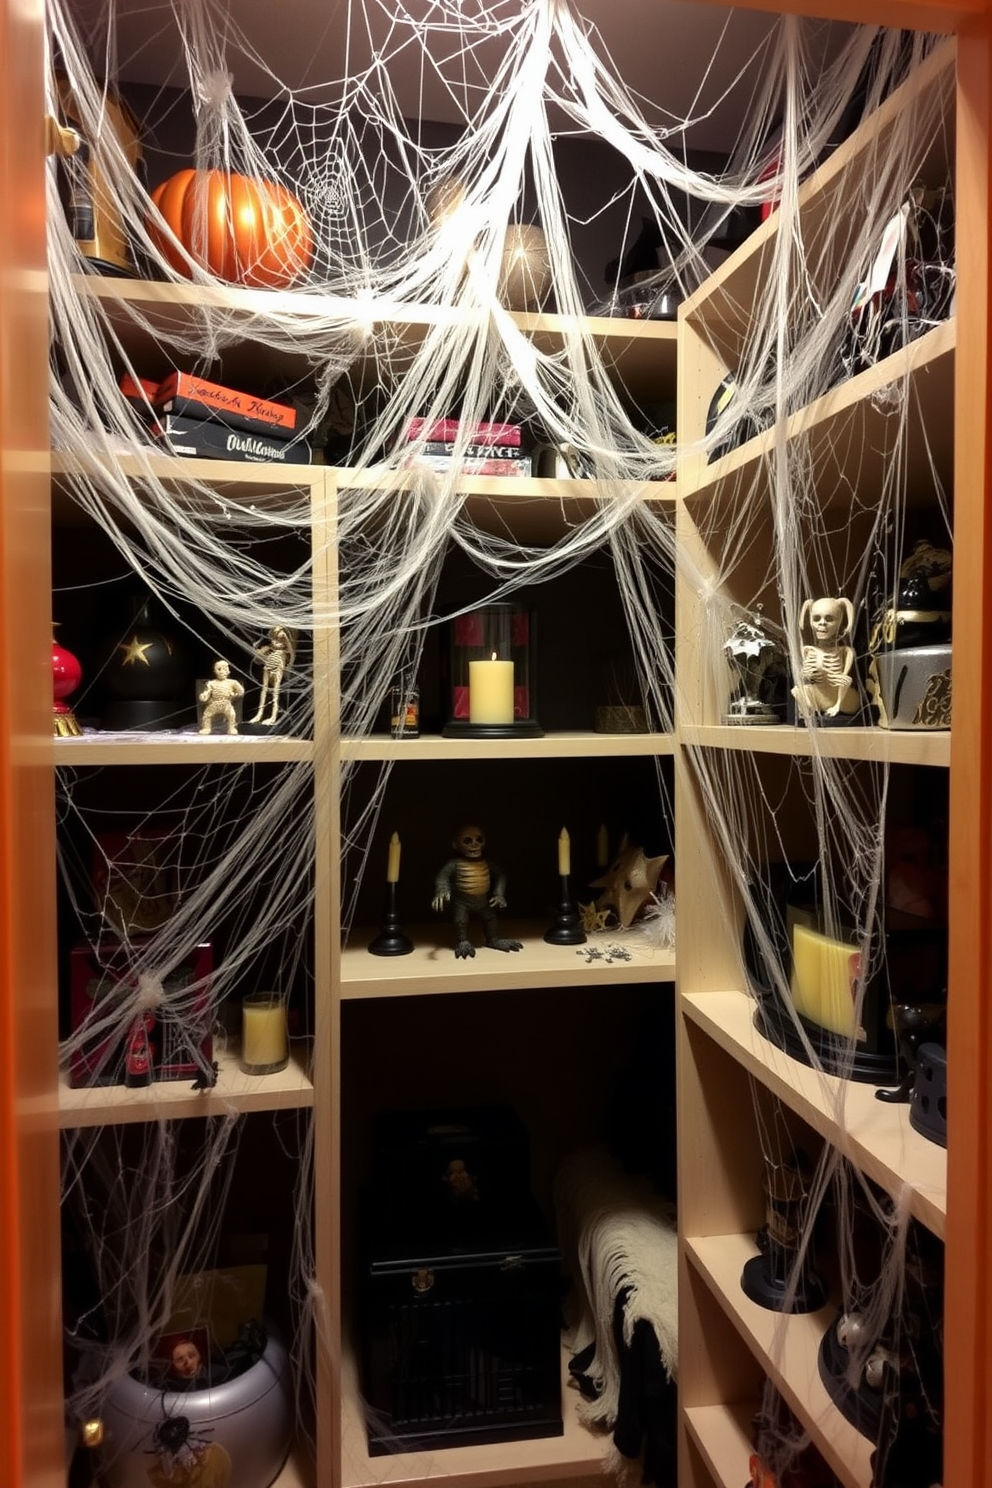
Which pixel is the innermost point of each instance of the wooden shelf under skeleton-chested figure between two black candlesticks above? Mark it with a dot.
(432, 966)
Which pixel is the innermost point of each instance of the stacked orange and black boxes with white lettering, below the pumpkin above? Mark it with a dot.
(190, 416)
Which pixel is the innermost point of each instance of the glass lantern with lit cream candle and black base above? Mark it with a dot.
(492, 673)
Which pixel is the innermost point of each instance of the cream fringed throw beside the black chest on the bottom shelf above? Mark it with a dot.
(616, 1234)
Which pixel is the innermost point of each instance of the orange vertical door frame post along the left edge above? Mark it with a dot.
(32, 1438)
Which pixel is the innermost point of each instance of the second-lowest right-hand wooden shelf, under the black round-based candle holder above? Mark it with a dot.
(788, 1350)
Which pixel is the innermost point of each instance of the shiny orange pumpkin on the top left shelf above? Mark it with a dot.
(242, 230)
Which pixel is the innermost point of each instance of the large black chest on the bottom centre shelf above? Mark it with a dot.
(462, 1343)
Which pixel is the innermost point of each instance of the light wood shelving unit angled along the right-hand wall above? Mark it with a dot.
(847, 440)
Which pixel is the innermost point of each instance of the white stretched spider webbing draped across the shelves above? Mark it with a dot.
(407, 217)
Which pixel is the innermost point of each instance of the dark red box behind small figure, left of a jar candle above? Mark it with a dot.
(102, 981)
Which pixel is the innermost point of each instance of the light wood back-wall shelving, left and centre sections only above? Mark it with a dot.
(642, 355)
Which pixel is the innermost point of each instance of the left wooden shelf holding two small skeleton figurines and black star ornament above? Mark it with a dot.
(175, 748)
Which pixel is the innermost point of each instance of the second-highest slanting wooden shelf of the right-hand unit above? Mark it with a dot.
(854, 426)
